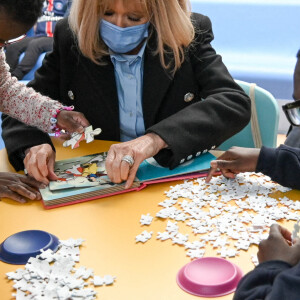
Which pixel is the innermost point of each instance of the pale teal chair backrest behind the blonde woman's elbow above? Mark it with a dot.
(268, 117)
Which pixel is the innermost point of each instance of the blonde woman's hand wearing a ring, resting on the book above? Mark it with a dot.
(139, 149)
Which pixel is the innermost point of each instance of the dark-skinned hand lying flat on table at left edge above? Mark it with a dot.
(18, 187)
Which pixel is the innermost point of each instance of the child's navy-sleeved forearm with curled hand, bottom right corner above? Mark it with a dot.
(277, 277)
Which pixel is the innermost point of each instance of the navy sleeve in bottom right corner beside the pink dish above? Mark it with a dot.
(272, 280)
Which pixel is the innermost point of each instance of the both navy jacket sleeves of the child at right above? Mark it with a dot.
(274, 280)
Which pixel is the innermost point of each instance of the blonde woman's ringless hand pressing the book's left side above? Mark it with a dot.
(39, 163)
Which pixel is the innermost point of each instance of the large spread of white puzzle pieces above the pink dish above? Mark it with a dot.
(231, 215)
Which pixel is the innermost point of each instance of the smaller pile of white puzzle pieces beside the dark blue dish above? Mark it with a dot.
(52, 276)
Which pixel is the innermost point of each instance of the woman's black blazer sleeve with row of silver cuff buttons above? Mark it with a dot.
(206, 124)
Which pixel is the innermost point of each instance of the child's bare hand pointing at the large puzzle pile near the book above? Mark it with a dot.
(234, 161)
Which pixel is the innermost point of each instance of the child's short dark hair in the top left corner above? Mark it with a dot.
(22, 11)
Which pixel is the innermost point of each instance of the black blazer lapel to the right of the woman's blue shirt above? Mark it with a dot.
(155, 85)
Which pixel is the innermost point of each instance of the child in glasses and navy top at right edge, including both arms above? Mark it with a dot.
(277, 277)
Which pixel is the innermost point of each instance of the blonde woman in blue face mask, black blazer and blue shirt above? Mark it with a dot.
(145, 72)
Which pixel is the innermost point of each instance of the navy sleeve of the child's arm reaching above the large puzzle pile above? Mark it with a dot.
(282, 164)
